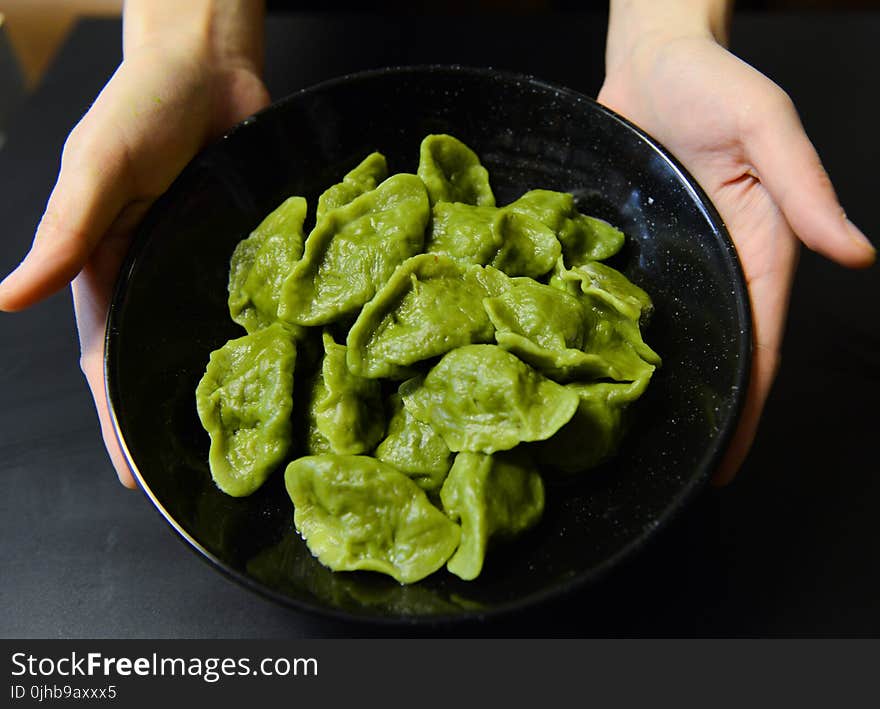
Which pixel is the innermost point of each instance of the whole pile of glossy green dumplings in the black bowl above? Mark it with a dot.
(417, 357)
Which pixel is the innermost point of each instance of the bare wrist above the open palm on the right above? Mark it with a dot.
(636, 26)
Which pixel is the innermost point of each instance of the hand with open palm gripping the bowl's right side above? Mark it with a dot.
(739, 135)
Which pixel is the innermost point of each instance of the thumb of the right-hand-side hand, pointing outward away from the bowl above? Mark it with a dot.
(789, 167)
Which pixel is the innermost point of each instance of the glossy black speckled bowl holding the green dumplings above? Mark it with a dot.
(170, 312)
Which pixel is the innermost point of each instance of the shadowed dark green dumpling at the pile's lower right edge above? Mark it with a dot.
(594, 432)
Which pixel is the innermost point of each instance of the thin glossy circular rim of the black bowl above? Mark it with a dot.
(564, 587)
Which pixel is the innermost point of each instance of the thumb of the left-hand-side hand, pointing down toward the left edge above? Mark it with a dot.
(92, 189)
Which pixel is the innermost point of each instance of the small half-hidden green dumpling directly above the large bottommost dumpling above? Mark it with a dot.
(414, 448)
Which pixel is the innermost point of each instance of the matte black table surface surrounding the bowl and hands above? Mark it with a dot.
(792, 548)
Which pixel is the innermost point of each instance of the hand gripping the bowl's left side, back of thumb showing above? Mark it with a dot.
(167, 99)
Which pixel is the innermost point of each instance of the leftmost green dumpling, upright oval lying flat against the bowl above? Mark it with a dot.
(244, 401)
